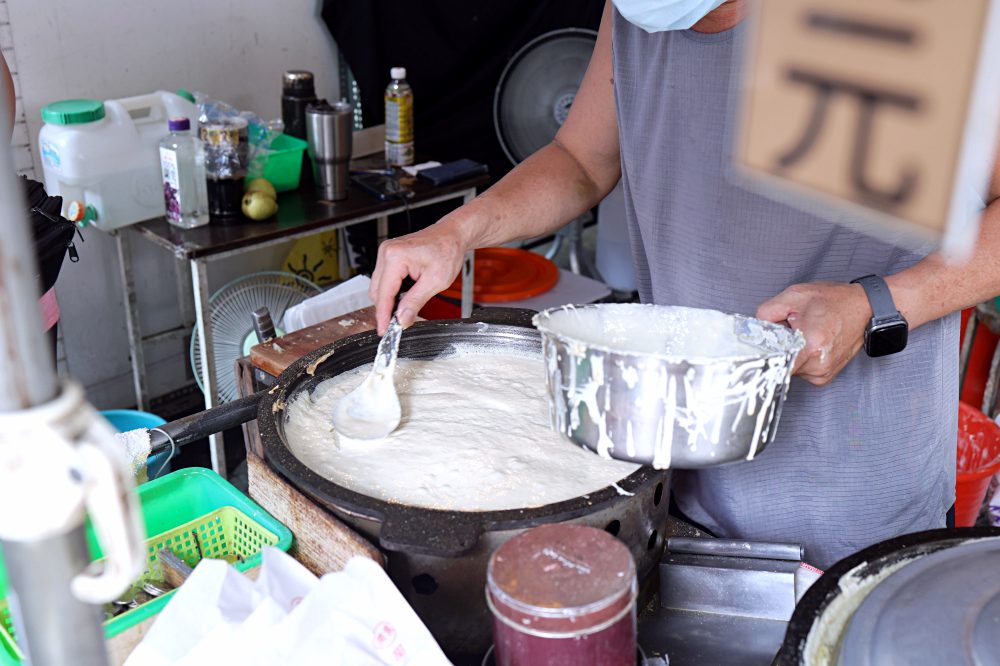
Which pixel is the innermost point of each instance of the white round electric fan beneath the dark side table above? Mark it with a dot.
(233, 335)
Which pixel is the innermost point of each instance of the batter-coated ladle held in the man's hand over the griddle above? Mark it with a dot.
(372, 411)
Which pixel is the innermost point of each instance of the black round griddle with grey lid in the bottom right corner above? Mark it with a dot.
(935, 599)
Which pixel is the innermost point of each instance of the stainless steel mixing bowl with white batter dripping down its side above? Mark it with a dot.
(666, 386)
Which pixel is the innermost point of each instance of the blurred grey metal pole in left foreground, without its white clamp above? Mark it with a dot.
(53, 623)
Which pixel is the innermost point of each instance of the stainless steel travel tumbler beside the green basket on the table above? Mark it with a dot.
(329, 129)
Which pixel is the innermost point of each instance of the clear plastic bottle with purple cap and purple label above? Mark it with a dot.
(182, 163)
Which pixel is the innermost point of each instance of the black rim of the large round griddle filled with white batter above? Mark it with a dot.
(415, 529)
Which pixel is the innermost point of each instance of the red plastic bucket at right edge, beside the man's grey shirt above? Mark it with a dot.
(978, 461)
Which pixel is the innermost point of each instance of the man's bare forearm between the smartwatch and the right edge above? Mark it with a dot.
(934, 287)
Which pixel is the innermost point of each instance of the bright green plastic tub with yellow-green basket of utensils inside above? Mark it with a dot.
(195, 513)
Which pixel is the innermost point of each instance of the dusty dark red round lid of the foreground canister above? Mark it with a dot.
(561, 577)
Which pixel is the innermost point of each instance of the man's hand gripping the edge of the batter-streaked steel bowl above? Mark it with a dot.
(831, 315)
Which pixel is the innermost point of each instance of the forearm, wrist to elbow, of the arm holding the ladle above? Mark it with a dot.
(539, 196)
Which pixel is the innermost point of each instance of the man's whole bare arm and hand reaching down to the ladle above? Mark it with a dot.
(541, 194)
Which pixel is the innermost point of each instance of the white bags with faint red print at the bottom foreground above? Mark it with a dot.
(355, 617)
